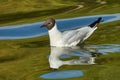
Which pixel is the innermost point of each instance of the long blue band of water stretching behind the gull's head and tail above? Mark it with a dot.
(34, 30)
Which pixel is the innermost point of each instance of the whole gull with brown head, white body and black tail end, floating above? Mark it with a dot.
(71, 37)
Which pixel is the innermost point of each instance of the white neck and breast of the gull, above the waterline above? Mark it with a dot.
(55, 35)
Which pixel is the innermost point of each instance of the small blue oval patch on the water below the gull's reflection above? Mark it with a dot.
(62, 74)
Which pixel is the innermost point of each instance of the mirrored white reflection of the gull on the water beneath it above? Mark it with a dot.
(85, 56)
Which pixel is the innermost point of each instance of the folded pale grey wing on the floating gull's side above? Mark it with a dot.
(76, 36)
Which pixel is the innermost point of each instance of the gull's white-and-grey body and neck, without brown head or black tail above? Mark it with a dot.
(69, 38)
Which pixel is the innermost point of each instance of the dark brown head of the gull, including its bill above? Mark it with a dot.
(49, 24)
